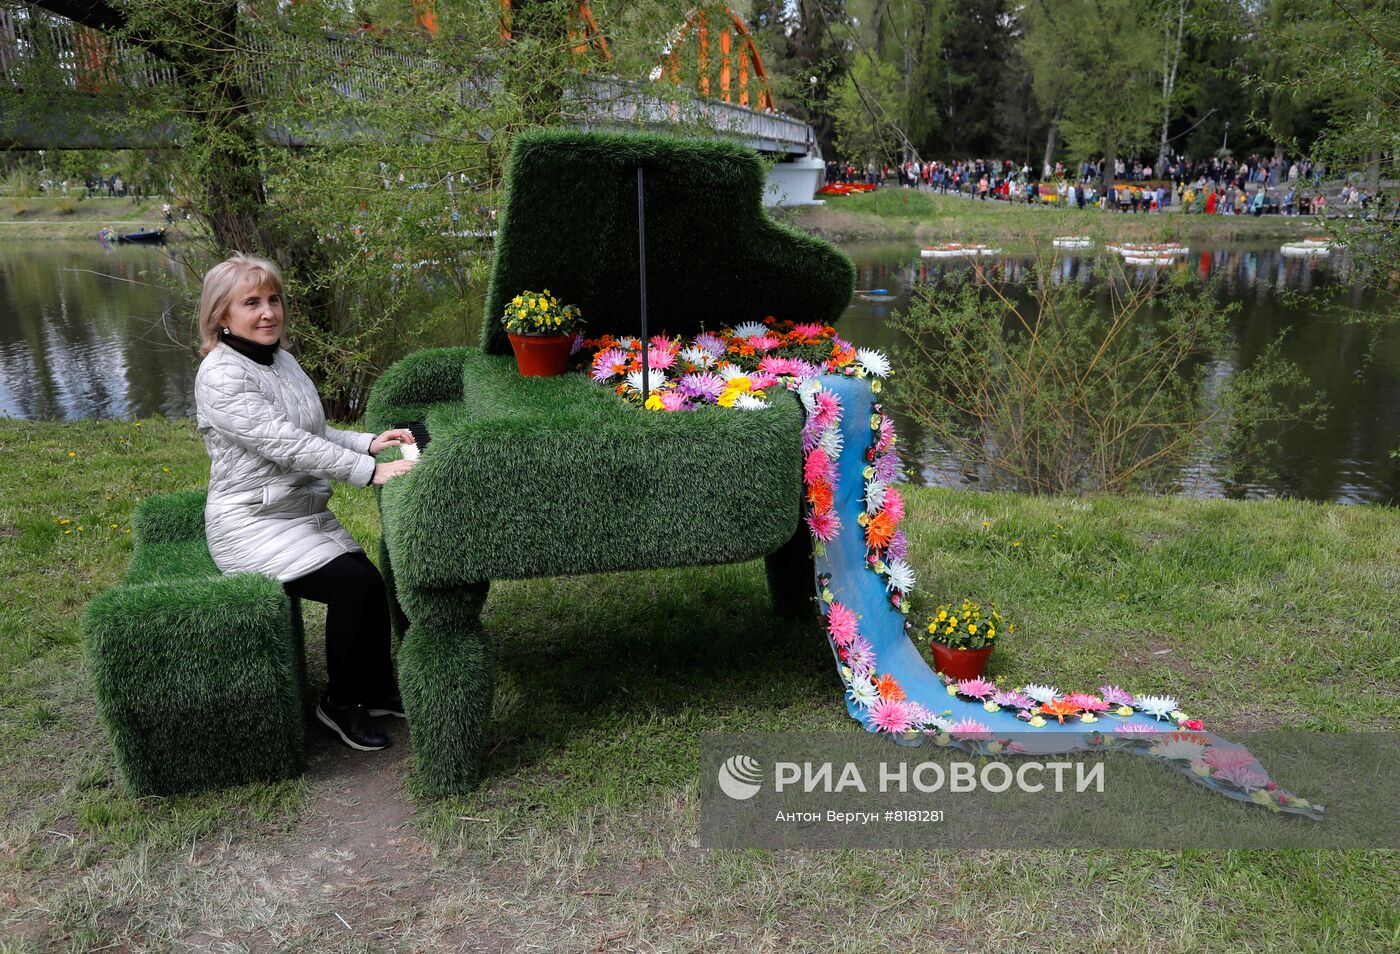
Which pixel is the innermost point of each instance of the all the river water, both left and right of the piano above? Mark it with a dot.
(87, 333)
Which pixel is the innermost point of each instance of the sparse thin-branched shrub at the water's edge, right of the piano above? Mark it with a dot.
(1069, 394)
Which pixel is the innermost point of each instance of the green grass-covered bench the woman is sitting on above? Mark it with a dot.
(199, 679)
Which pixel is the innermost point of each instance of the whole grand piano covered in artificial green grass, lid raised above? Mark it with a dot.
(545, 477)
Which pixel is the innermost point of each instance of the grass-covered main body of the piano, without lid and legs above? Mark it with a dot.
(544, 477)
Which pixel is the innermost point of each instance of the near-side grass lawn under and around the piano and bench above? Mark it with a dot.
(584, 834)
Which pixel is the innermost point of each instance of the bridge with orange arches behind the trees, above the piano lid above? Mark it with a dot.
(733, 100)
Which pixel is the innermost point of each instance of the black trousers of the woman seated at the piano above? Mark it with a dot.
(358, 627)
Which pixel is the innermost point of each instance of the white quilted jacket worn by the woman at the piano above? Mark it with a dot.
(272, 460)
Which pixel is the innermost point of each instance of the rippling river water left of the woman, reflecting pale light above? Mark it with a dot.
(83, 333)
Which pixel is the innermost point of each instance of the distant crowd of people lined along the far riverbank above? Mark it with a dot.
(1255, 186)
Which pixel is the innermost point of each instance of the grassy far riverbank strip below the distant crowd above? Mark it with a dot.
(894, 214)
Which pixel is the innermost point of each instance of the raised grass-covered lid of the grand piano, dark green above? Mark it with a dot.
(715, 257)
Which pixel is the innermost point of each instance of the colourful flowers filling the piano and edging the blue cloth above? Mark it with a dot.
(734, 368)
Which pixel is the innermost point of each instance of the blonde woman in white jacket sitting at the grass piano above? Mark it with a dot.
(272, 460)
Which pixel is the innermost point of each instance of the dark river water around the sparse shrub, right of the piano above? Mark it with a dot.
(1346, 462)
